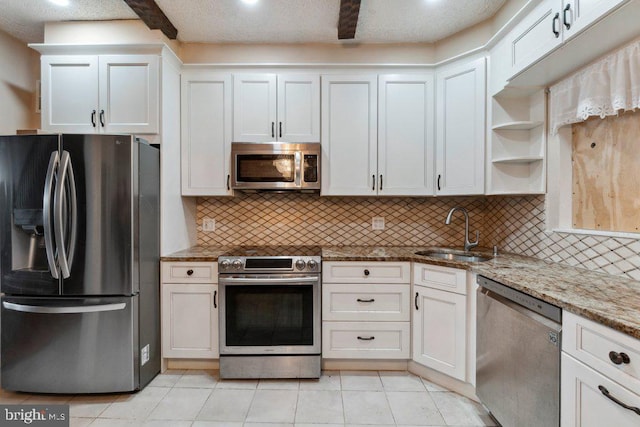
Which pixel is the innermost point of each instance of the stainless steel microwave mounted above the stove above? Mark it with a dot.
(275, 166)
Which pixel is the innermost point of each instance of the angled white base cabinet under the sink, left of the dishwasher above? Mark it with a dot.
(440, 319)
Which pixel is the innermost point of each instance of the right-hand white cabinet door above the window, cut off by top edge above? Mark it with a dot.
(579, 14)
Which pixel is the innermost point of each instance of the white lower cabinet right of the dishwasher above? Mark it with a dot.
(600, 379)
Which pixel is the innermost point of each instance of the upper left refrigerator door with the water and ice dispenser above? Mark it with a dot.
(28, 167)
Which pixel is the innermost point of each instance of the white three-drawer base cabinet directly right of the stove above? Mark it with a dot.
(365, 310)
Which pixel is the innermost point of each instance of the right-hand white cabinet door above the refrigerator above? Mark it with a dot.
(129, 93)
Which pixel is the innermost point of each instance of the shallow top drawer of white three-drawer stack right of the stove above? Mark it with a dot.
(366, 272)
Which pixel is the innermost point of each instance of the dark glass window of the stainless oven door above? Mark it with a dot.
(266, 315)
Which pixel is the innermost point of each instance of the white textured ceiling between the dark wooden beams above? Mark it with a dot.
(268, 21)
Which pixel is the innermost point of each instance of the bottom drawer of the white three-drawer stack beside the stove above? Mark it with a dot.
(362, 340)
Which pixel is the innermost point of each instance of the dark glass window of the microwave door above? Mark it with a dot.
(265, 167)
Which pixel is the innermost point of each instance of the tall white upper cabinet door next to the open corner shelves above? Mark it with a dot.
(461, 129)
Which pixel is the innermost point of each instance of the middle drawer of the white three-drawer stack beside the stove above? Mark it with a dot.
(365, 302)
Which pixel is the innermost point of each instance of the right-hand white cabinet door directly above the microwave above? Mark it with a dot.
(298, 108)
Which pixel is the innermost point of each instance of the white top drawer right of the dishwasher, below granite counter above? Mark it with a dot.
(591, 343)
